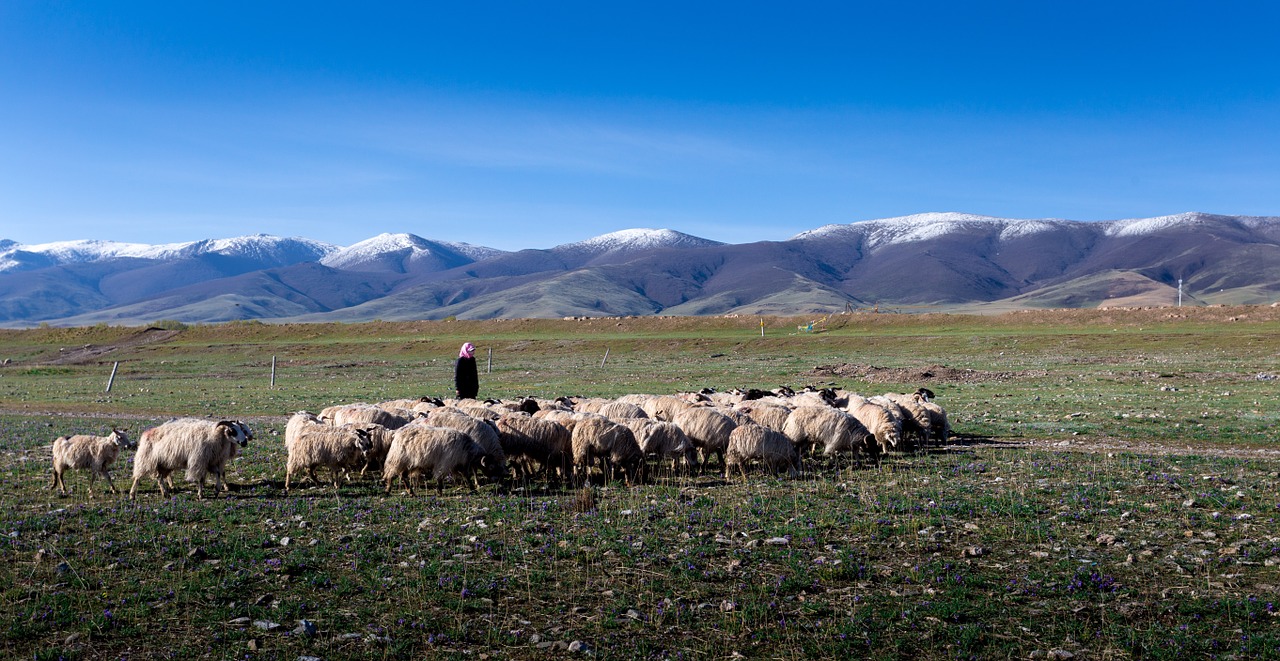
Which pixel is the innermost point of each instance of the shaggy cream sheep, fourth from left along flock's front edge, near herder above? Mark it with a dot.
(419, 449)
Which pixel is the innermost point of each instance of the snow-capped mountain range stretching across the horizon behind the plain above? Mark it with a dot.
(926, 262)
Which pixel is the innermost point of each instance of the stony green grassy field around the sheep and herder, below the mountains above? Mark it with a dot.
(1112, 494)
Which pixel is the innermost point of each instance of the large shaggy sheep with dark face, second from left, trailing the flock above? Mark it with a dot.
(200, 446)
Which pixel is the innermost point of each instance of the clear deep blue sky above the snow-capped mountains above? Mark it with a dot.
(531, 125)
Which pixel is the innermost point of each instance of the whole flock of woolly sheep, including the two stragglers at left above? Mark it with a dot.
(564, 440)
